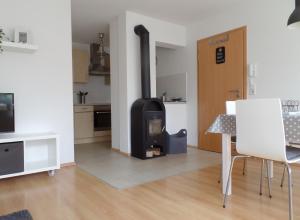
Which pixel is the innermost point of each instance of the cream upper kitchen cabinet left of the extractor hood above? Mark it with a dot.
(80, 66)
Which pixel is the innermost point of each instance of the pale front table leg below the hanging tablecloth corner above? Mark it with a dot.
(226, 161)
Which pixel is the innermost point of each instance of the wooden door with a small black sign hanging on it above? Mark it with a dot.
(222, 72)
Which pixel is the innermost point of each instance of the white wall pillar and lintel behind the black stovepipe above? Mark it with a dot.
(128, 81)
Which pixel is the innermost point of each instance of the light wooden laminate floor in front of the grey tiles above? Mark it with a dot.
(73, 194)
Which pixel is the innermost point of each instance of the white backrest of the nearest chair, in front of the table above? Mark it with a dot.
(260, 129)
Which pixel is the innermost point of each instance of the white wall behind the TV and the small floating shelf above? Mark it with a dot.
(42, 81)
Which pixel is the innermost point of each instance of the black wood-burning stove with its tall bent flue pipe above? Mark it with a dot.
(148, 115)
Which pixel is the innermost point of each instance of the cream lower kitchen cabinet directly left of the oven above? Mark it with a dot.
(83, 122)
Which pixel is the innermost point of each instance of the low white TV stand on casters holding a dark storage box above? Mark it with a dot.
(41, 152)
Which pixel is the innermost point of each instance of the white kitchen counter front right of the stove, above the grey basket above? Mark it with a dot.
(176, 118)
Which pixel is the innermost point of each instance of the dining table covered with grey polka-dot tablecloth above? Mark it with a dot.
(225, 124)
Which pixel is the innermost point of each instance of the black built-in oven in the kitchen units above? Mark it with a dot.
(102, 117)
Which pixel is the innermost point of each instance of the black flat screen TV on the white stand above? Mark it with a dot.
(7, 114)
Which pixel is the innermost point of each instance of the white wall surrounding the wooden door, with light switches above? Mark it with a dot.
(270, 44)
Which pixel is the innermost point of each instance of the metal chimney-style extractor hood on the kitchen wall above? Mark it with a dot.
(99, 58)
